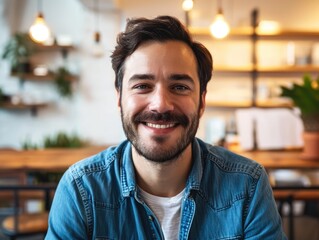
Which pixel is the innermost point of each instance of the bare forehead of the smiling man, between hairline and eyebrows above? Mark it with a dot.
(161, 56)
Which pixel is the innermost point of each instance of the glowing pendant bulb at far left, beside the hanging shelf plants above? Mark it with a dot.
(39, 30)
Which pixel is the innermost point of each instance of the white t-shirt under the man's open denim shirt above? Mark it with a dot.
(167, 210)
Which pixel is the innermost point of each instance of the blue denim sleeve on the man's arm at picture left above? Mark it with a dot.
(67, 218)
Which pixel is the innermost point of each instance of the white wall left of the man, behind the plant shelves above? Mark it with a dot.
(92, 112)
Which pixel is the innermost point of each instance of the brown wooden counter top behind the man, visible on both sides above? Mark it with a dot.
(61, 159)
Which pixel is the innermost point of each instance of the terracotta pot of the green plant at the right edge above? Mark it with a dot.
(311, 145)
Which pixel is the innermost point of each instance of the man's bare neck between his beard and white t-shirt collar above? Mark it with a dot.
(163, 179)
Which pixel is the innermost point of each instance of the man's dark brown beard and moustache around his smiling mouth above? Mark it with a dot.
(160, 153)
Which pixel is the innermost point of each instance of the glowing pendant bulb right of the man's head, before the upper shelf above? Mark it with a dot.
(219, 28)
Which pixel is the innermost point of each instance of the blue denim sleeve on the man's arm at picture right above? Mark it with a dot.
(263, 220)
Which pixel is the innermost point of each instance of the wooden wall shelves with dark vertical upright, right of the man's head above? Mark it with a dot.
(254, 70)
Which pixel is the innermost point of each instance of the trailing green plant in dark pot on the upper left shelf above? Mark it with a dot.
(18, 51)
